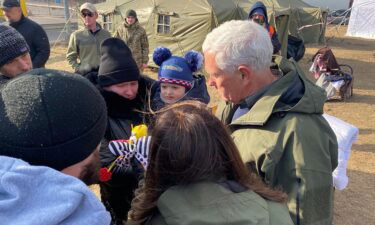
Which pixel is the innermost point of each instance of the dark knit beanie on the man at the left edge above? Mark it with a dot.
(12, 44)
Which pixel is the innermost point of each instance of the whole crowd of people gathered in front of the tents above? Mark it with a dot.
(264, 155)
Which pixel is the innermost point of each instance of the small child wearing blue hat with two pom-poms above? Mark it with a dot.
(176, 79)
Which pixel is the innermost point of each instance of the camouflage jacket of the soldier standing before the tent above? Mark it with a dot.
(136, 38)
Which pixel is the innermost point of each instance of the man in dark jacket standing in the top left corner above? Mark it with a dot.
(33, 33)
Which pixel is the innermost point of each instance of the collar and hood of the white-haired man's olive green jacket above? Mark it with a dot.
(273, 100)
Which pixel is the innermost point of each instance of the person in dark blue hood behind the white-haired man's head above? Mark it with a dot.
(258, 14)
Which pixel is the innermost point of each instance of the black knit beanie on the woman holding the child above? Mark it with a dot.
(116, 63)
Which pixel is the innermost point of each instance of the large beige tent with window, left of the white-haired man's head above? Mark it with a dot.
(179, 25)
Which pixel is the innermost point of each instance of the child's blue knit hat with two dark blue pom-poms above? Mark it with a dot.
(177, 70)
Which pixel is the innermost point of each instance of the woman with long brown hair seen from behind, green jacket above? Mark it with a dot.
(196, 176)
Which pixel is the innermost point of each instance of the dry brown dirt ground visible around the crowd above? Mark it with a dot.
(356, 204)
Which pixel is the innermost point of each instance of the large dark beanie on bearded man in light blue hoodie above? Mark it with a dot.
(51, 118)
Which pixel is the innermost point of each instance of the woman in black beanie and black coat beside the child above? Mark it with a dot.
(126, 93)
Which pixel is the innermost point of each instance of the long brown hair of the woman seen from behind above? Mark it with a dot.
(189, 145)
